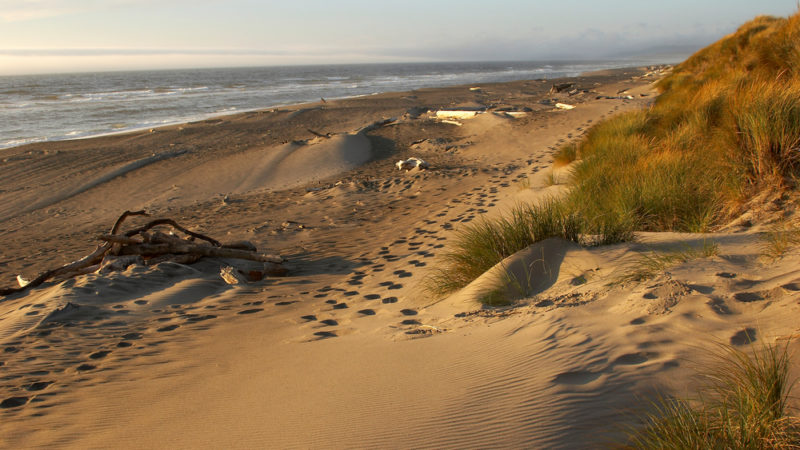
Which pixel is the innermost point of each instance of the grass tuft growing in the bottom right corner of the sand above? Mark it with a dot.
(742, 403)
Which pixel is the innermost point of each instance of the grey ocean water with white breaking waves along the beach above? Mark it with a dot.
(38, 108)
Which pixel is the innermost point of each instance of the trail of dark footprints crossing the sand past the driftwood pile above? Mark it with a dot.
(56, 364)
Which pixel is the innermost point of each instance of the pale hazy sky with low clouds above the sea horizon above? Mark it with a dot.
(85, 35)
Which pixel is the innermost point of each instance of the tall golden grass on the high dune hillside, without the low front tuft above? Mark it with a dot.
(725, 126)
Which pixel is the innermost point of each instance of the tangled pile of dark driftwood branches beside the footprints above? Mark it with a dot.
(140, 245)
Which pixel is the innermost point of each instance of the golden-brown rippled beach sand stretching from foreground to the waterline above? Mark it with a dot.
(349, 351)
